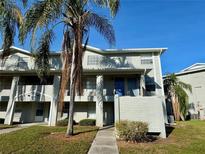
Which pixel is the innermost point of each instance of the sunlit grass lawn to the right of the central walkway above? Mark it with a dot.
(187, 138)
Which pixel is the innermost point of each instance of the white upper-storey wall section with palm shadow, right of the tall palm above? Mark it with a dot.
(96, 62)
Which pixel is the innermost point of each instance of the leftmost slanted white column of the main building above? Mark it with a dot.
(11, 103)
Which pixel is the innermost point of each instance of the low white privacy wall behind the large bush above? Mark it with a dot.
(147, 109)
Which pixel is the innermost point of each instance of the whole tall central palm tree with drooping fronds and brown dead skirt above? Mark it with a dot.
(77, 18)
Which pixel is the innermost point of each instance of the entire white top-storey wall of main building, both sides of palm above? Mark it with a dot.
(91, 62)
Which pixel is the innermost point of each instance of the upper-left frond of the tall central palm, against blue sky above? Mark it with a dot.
(40, 14)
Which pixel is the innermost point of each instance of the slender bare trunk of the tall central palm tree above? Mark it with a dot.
(69, 131)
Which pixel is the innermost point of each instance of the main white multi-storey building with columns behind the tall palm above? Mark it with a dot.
(118, 84)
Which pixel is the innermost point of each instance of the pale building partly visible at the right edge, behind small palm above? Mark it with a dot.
(195, 76)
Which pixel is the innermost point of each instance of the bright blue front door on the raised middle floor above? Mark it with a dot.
(119, 86)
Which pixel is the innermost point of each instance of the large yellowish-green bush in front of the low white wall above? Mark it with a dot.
(135, 131)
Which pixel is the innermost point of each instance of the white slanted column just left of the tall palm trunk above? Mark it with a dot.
(54, 102)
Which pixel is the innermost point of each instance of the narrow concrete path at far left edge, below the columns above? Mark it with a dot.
(20, 126)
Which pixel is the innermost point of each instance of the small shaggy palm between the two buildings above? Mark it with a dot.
(176, 92)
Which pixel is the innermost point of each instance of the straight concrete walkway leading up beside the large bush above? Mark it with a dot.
(104, 142)
